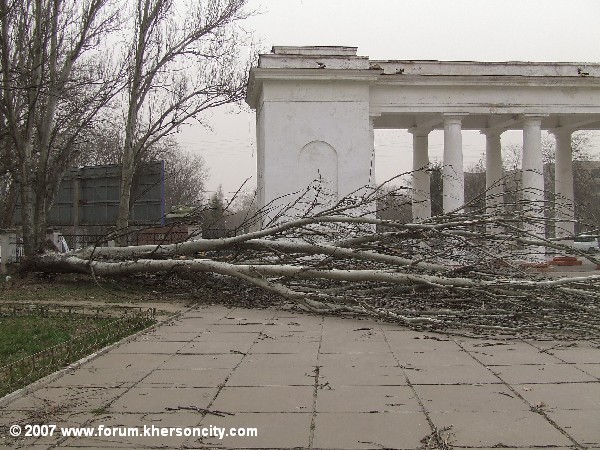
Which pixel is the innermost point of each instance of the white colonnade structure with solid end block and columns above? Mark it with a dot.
(317, 107)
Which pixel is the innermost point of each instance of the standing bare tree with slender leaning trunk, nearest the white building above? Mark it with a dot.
(184, 58)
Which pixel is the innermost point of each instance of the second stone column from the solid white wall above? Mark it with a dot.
(453, 172)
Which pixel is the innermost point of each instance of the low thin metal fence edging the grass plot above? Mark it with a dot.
(123, 321)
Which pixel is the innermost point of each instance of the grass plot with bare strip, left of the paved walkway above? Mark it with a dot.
(39, 325)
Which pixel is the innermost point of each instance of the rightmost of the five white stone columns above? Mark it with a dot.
(563, 187)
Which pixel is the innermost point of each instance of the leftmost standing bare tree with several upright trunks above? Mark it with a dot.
(54, 83)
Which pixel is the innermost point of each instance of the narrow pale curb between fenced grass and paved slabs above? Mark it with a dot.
(9, 398)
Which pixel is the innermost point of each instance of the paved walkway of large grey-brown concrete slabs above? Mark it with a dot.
(309, 381)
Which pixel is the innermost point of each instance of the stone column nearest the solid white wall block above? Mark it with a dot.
(421, 187)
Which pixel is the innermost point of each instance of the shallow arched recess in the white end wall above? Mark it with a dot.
(318, 166)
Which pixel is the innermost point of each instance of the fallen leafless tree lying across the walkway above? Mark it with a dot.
(460, 273)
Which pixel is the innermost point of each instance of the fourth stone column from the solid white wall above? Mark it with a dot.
(533, 181)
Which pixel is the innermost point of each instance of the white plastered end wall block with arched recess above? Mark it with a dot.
(316, 123)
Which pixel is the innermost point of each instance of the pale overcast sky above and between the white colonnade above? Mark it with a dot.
(467, 30)
